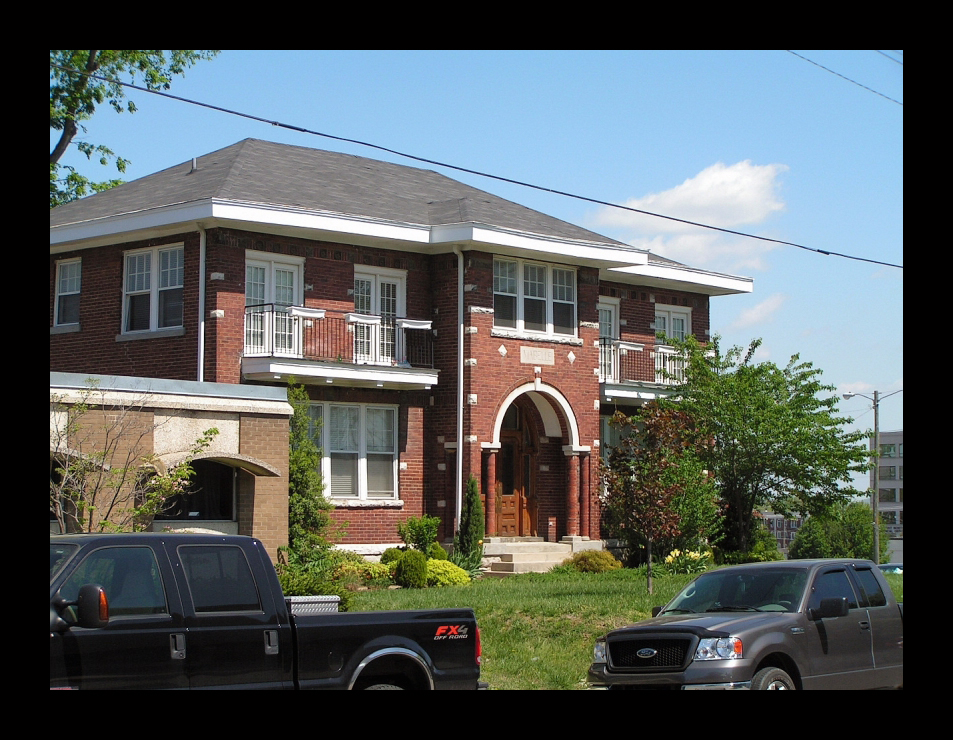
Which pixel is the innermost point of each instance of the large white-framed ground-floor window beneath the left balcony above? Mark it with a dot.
(360, 449)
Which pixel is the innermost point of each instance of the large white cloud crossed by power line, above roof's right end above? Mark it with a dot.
(731, 197)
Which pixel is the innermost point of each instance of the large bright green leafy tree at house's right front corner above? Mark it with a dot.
(777, 439)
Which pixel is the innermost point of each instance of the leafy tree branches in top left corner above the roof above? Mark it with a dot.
(75, 94)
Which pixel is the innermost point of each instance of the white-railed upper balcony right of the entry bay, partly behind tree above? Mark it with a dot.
(636, 371)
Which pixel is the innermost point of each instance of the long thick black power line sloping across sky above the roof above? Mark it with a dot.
(378, 147)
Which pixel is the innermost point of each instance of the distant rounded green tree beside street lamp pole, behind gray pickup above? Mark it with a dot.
(844, 531)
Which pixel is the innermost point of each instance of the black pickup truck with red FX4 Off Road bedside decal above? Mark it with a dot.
(204, 611)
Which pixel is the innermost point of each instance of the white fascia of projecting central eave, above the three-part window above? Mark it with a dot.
(574, 251)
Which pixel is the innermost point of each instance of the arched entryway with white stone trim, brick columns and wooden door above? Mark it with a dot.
(533, 467)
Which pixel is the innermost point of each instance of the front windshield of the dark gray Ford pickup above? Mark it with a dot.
(749, 590)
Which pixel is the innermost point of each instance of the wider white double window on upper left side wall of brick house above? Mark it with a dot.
(152, 289)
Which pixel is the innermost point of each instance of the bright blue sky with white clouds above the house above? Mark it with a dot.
(762, 142)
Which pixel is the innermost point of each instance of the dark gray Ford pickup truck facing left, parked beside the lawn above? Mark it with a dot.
(799, 624)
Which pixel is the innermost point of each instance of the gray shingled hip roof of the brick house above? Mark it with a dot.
(281, 175)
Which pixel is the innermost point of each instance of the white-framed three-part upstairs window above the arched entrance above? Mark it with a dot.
(534, 297)
